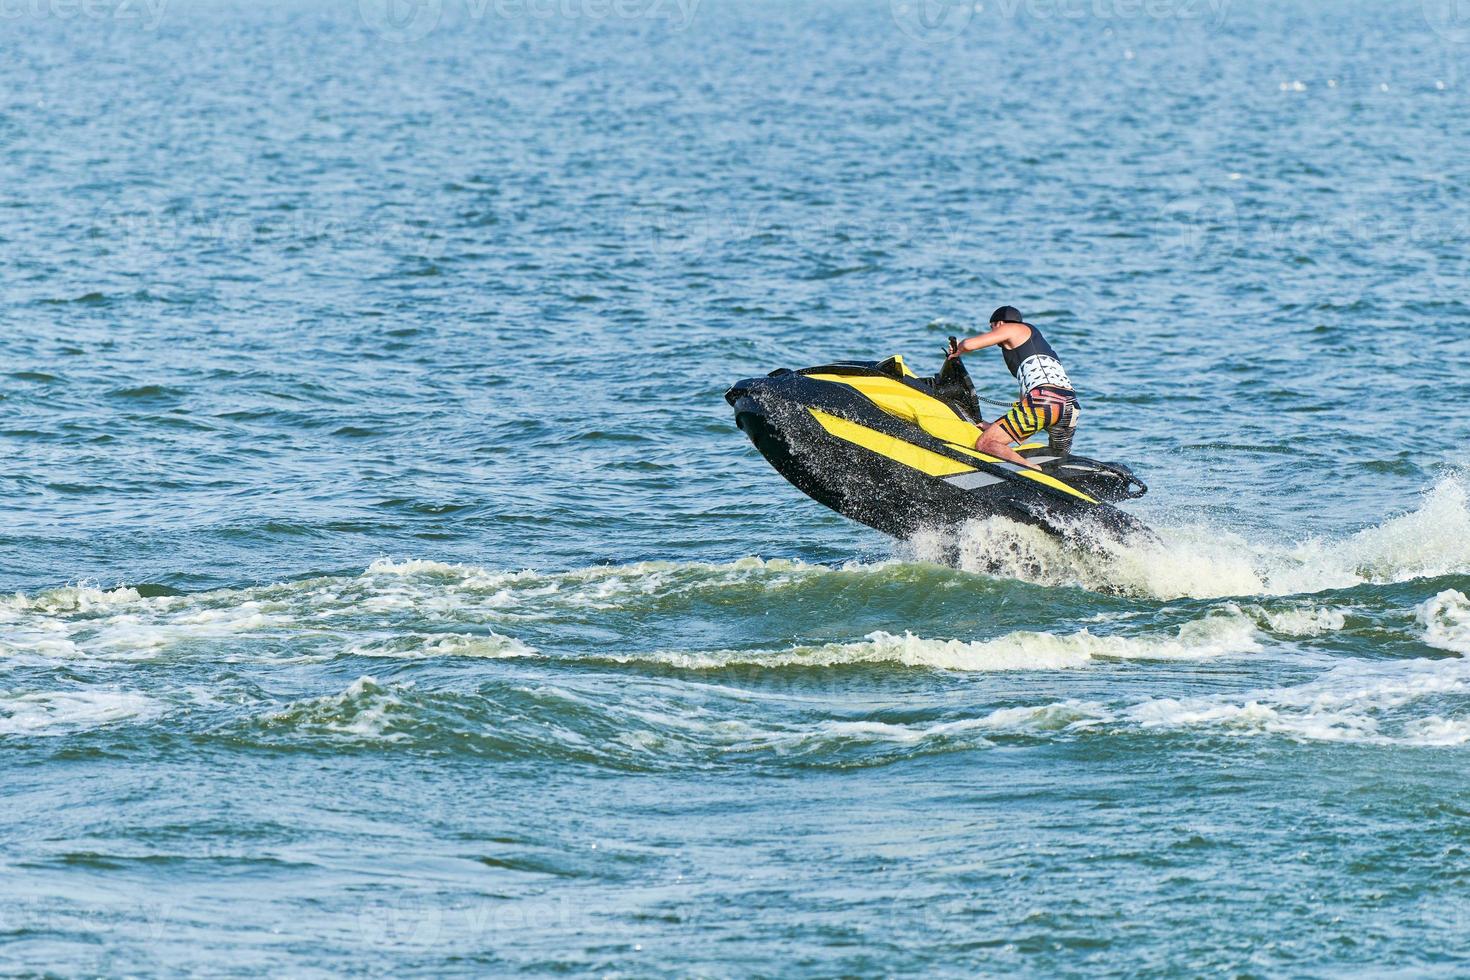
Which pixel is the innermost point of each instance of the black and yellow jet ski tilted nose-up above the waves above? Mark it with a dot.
(878, 444)
